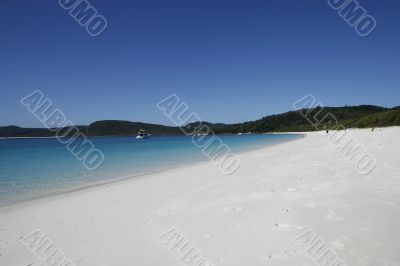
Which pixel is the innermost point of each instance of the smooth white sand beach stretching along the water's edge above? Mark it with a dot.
(247, 219)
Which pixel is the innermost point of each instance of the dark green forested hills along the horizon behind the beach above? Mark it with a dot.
(362, 116)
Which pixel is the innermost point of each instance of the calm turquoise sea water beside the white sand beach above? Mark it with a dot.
(32, 168)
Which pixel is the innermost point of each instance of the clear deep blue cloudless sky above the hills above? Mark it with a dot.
(231, 61)
